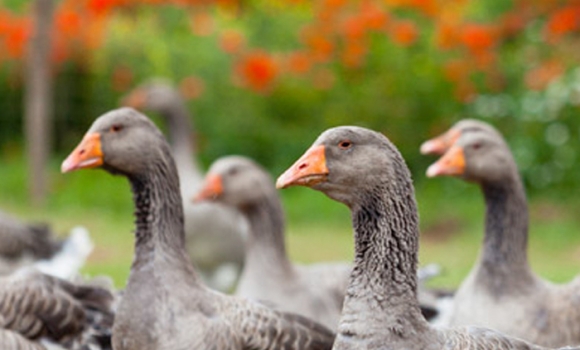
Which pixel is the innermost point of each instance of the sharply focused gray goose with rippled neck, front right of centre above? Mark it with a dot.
(364, 170)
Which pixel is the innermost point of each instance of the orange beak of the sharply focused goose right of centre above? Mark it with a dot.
(309, 170)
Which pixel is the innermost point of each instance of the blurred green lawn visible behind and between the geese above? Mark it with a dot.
(318, 229)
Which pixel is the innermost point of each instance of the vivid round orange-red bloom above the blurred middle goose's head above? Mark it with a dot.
(258, 70)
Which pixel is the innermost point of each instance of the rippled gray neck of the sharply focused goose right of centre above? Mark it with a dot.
(383, 284)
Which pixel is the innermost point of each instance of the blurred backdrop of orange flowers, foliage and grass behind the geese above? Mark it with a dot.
(264, 78)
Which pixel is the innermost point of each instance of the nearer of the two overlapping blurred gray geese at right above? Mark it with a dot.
(502, 291)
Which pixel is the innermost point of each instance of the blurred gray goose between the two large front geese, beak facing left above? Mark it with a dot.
(315, 290)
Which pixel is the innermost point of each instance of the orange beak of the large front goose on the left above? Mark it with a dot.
(87, 154)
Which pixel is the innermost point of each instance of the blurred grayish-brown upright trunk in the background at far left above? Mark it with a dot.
(38, 100)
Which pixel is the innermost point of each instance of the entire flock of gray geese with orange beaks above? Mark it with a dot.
(375, 302)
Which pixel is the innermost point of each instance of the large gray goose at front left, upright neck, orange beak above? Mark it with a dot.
(165, 304)
